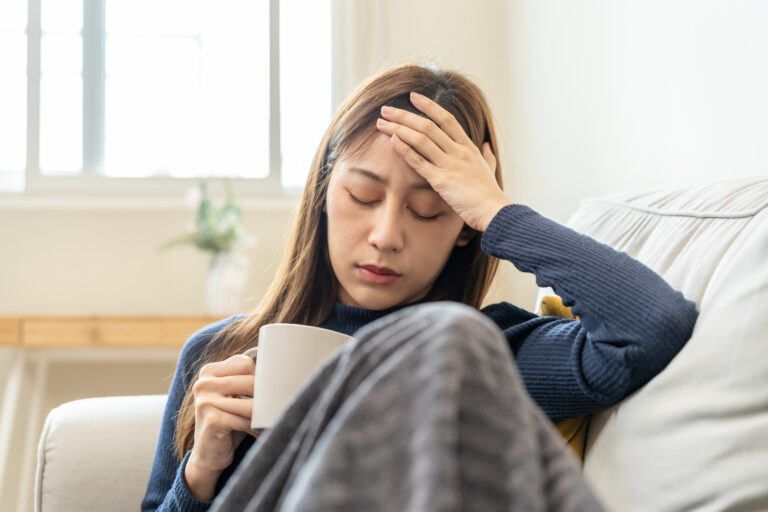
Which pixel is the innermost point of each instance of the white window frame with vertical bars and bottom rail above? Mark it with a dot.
(89, 181)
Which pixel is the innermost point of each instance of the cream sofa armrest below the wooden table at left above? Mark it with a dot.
(96, 454)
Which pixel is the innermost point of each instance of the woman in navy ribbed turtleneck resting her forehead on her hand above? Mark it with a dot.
(403, 205)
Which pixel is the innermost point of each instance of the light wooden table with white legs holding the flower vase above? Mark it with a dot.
(34, 342)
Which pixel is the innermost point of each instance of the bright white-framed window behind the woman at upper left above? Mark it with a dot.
(105, 94)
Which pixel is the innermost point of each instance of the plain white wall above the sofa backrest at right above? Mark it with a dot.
(607, 95)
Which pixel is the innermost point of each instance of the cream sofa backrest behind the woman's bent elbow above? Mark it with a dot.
(696, 436)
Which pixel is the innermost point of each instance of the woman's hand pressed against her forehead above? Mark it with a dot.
(442, 153)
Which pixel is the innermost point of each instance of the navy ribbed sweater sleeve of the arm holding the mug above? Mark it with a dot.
(167, 489)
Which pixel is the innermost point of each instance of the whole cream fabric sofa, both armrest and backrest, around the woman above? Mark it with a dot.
(694, 438)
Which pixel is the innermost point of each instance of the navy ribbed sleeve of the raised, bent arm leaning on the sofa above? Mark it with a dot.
(631, 325)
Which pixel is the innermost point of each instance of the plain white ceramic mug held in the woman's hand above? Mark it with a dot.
(286, 356)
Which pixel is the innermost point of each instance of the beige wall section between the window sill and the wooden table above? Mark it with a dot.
(101, 260)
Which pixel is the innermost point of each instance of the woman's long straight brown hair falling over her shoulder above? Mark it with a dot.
(305, 288)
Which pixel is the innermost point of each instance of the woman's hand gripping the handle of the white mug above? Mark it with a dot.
(222, 420)
